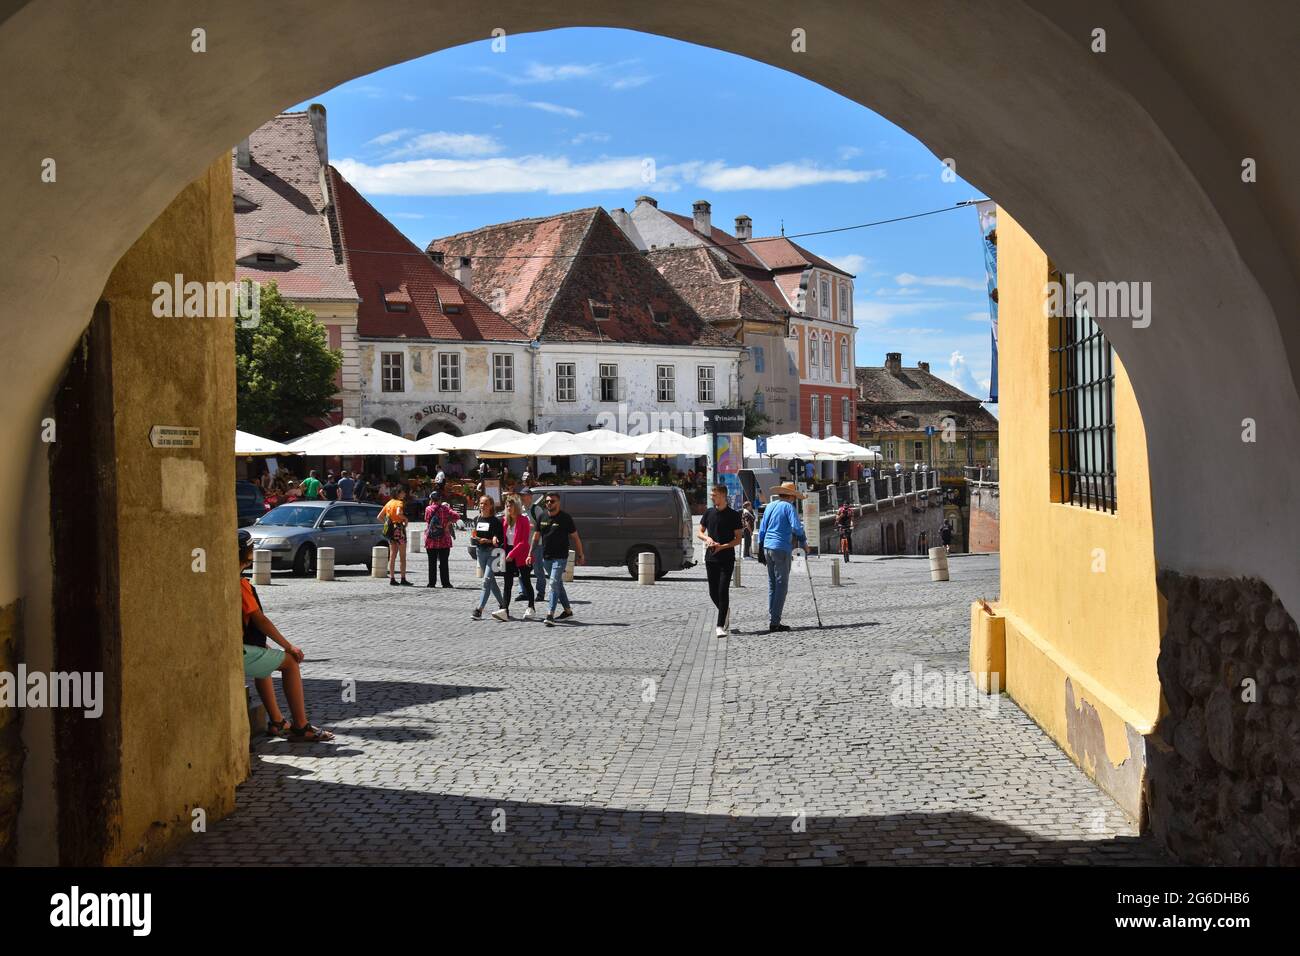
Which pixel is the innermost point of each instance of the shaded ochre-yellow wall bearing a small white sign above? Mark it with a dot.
(184, 733)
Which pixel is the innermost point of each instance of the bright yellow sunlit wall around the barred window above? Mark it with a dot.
(1068, 621)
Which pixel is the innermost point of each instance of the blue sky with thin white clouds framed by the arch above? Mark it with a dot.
(583, 118)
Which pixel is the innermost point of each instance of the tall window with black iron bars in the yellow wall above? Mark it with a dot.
(1084, 410)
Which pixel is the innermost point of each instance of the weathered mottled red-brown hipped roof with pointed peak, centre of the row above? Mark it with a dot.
(554, 270)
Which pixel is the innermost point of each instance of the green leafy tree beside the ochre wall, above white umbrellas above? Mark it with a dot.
(284, 369)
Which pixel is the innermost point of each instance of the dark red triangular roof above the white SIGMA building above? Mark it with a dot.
(389, 269)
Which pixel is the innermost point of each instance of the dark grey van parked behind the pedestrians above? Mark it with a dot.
(619, 522)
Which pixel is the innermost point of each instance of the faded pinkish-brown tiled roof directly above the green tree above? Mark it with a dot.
(289, 218)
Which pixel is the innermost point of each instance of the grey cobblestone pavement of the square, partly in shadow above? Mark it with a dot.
(632, 736)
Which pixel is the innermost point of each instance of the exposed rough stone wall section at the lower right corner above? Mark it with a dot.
(1224, 763)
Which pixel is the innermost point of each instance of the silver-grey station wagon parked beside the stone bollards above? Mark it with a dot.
(293, 533)
